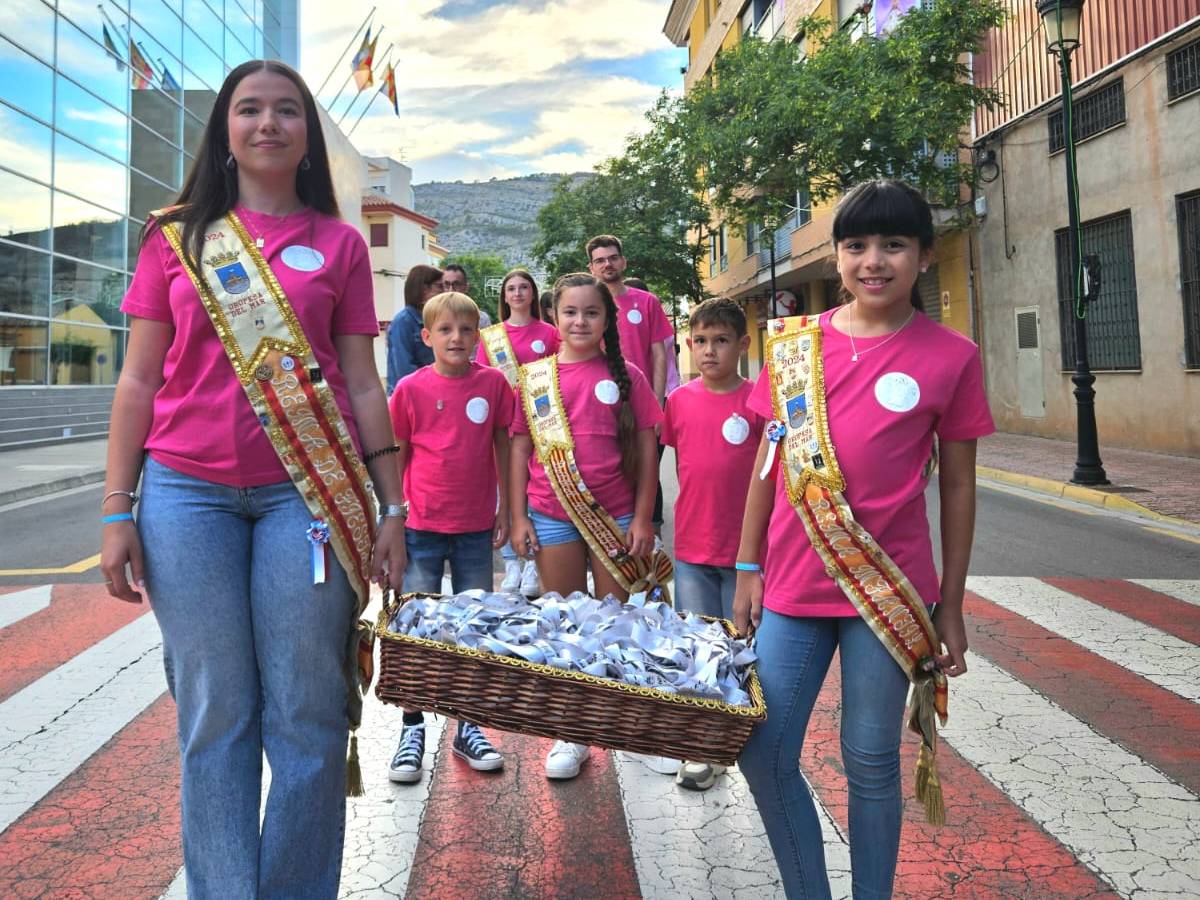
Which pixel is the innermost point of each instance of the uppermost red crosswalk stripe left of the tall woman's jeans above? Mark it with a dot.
(79, 617)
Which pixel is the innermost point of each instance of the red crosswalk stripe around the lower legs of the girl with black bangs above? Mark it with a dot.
(988, 849)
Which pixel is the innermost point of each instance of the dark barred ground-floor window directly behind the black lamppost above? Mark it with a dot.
(1114, 341)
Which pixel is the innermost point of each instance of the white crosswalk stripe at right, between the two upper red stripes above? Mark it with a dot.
(1160, 658)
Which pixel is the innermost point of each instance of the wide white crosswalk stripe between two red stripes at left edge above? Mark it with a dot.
(51, 728)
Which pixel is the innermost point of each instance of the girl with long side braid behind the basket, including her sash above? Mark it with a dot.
(590, 399)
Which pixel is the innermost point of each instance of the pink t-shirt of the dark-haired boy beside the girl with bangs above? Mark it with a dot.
(716, 437)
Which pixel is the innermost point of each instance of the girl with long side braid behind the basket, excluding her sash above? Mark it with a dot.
(613, 413)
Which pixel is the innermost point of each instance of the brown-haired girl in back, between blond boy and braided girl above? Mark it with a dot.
(520, 338)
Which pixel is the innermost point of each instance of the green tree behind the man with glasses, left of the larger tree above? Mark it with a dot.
(649, 199)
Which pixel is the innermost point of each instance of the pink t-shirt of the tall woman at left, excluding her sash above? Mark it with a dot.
(203, 424)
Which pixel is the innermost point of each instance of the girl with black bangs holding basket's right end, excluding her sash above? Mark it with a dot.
(895, 381)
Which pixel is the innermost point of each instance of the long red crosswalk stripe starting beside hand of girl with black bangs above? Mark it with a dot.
(1153, 723)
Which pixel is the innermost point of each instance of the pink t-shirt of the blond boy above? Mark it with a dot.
(449, 424)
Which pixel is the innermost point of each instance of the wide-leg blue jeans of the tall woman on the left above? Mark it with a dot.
(257, 661)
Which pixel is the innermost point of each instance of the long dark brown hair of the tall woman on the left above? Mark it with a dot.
(212, 188)
